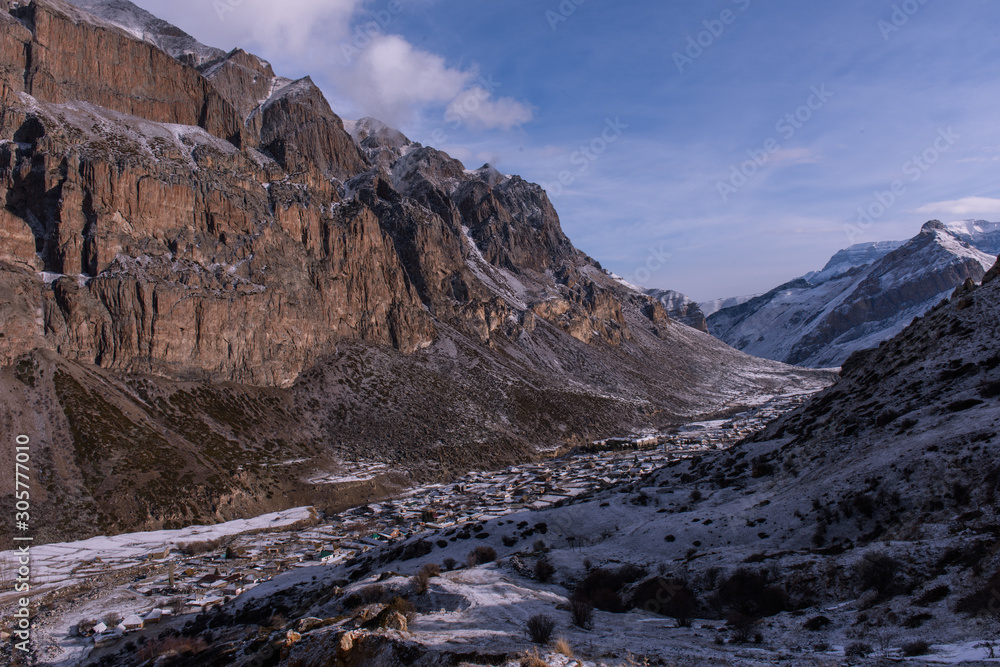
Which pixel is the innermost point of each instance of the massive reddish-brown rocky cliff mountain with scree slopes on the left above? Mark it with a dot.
(216, 290)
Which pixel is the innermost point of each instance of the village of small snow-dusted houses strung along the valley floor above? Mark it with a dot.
(189, 577)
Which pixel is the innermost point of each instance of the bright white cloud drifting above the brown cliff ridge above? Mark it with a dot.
(349, 47)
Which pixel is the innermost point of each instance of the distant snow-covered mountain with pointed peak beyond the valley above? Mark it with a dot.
(865, 294)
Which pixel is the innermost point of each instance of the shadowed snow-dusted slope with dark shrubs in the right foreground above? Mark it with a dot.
(863, 523)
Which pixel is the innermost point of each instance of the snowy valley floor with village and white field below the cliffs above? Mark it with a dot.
(190, 571)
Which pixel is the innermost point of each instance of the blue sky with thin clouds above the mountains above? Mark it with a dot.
(714, 147)
